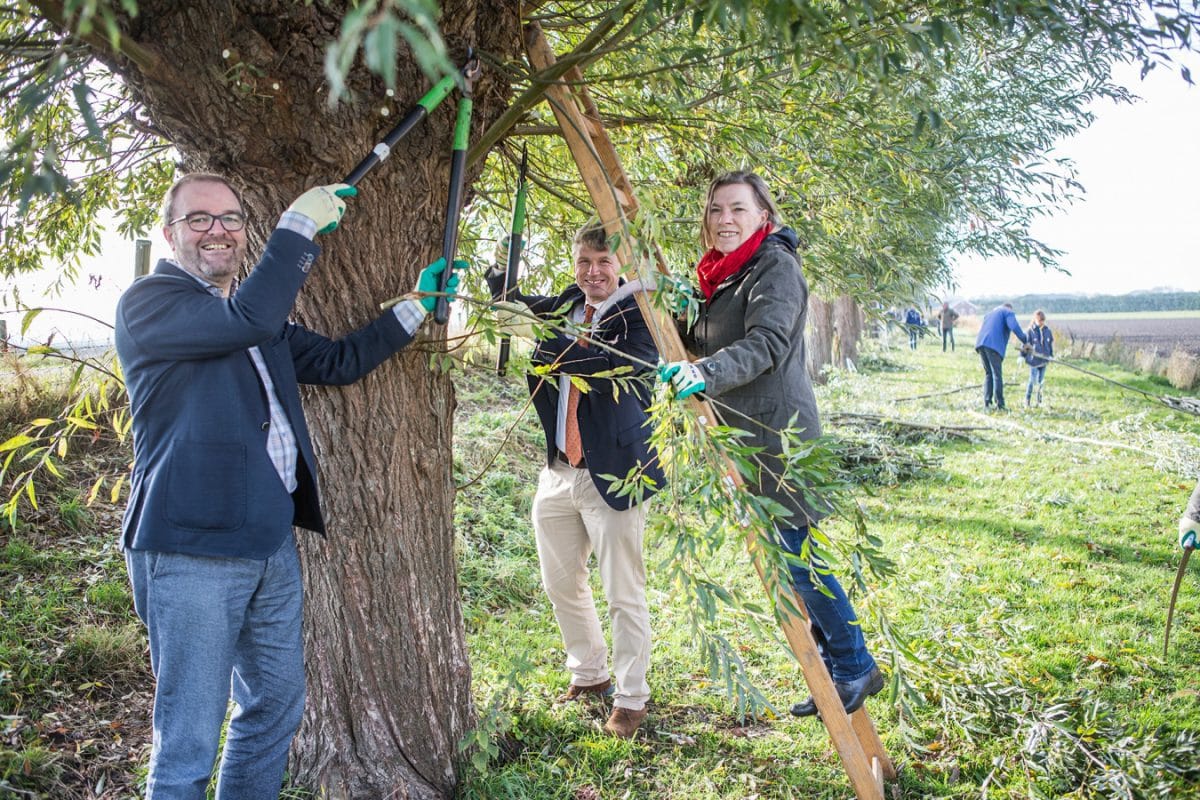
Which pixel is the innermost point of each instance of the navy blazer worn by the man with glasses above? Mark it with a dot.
(203, 483)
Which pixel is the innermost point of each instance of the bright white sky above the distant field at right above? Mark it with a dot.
(1138, 227)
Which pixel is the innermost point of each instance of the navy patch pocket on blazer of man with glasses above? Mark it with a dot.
(207, 486)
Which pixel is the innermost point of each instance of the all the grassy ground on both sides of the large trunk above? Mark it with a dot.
(1033, 566)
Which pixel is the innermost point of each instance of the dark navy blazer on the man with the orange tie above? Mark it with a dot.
(615, 434)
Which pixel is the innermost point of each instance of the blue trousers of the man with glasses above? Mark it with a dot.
(221, 627)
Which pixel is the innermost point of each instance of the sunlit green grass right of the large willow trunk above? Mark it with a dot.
(1033, 569)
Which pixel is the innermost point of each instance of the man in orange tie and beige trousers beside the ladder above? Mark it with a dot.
(577, 510)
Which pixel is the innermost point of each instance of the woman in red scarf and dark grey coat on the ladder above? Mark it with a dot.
(749, 336)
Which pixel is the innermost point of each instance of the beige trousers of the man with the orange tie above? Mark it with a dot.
(572, 521)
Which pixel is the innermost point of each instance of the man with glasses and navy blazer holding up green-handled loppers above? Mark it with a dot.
(223, 471)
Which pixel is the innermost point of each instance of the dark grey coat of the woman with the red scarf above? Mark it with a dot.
(751, 341)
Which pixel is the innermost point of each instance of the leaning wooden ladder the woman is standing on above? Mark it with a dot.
(854, 736)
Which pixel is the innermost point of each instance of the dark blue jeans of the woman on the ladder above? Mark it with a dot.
(833, 622)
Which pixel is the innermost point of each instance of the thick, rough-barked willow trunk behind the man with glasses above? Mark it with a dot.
(238, 88)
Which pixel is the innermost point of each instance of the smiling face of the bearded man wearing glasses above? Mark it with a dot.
(215, 255)
